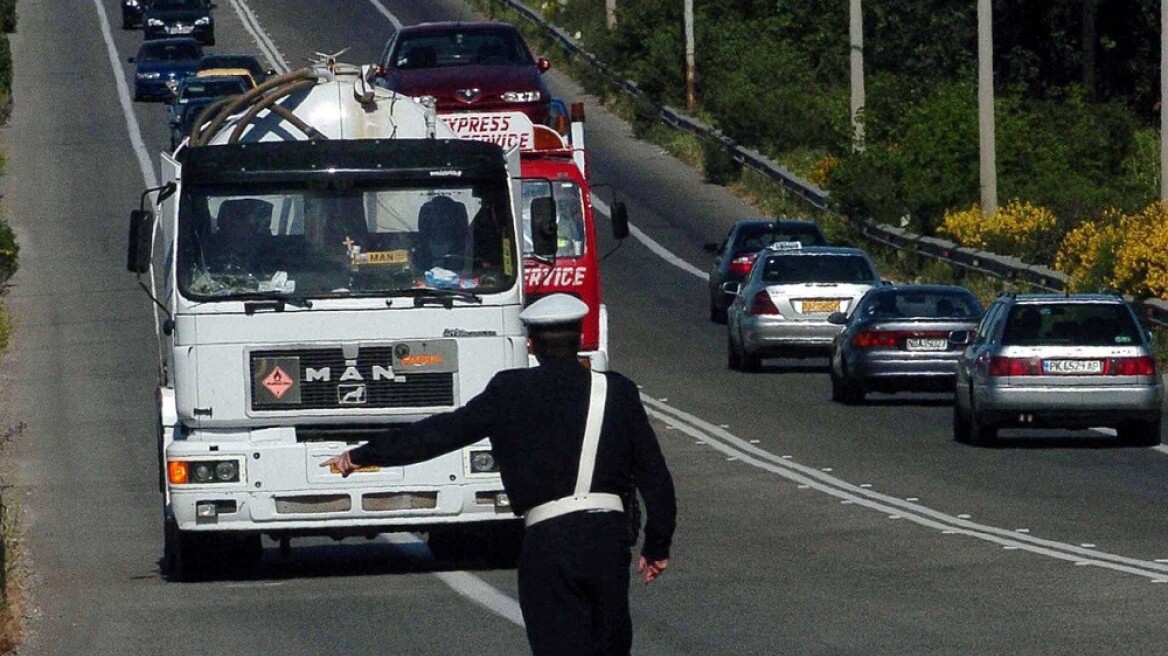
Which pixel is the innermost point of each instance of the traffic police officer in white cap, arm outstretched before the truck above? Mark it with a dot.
(572, 445)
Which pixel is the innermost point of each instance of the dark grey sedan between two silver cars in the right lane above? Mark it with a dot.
(902, 339)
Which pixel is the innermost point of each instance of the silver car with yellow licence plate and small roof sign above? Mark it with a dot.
(782, 308)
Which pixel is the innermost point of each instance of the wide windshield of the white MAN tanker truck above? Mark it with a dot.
(367, 240)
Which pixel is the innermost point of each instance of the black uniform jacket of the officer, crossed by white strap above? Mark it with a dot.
(536, 421)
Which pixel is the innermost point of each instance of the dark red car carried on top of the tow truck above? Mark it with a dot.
(467, 67)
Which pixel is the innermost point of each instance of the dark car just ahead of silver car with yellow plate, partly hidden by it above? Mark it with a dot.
(736, 254)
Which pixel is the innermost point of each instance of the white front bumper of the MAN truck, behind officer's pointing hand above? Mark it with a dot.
(283, 490)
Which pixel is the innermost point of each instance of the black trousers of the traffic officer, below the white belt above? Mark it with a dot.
(574, 585)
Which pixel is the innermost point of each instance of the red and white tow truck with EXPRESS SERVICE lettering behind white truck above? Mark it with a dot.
(555, 163)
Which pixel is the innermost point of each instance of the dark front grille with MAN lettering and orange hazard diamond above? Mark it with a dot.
(324, 380)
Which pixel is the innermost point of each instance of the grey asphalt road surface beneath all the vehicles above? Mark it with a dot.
(805, 527)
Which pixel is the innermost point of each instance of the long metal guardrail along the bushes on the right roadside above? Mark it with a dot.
(992, 264)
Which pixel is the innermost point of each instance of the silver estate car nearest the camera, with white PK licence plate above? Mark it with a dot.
(1059, 361)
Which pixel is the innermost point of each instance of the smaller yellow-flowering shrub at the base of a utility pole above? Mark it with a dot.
(1018, 229)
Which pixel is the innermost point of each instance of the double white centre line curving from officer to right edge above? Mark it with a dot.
(893, 507)
